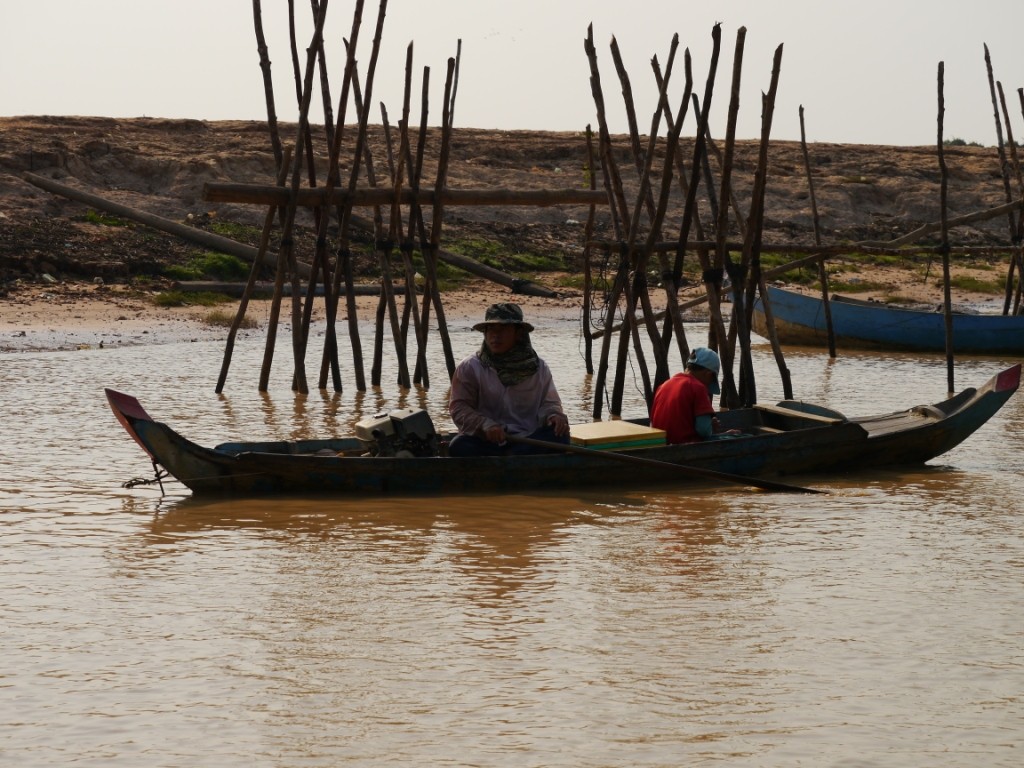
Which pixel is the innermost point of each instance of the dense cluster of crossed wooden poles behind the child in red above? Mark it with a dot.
(638, 233)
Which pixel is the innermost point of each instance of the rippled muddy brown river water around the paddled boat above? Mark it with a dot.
(881, 625)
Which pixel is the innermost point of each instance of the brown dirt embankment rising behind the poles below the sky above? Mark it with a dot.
(161, 166)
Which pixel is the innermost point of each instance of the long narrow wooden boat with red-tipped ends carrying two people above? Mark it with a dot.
(790, 438)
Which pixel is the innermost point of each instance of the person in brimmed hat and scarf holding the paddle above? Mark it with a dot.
(505, 390)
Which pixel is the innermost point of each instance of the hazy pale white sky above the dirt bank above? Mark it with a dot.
(865, 71)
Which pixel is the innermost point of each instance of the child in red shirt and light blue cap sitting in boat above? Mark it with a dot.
(682, 405)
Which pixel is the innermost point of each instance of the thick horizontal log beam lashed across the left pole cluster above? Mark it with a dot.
(313, 197)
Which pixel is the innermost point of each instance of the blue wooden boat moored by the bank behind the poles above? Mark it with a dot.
(800, 319)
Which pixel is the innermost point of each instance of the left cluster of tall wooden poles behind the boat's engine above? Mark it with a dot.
(333, 201)
